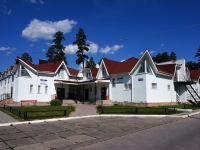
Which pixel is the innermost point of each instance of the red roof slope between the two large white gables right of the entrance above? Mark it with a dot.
(125, 66)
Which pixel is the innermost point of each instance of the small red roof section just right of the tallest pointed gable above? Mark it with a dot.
(166, 68)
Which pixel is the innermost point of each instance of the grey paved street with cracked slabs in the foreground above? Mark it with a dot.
(104, 133)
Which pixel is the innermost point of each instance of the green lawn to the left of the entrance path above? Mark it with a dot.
(39, 112)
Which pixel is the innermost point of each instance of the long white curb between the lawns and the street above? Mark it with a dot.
(91, 116)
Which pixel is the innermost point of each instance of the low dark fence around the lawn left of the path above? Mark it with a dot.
(35, 114)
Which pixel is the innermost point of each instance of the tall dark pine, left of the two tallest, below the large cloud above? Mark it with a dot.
(56, 51)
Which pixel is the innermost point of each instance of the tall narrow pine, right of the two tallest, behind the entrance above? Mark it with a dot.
(82, 46)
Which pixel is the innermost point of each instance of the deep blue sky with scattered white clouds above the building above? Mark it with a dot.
(112, 28)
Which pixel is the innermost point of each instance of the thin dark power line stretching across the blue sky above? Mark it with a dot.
(131, 38)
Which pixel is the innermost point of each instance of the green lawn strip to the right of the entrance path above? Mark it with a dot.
(161, 110)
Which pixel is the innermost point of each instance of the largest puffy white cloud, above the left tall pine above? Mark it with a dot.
(46, 29)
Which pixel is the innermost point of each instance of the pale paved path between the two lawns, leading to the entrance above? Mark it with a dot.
(84, 110)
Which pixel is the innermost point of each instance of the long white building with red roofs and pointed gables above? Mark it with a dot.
(137, 81)
